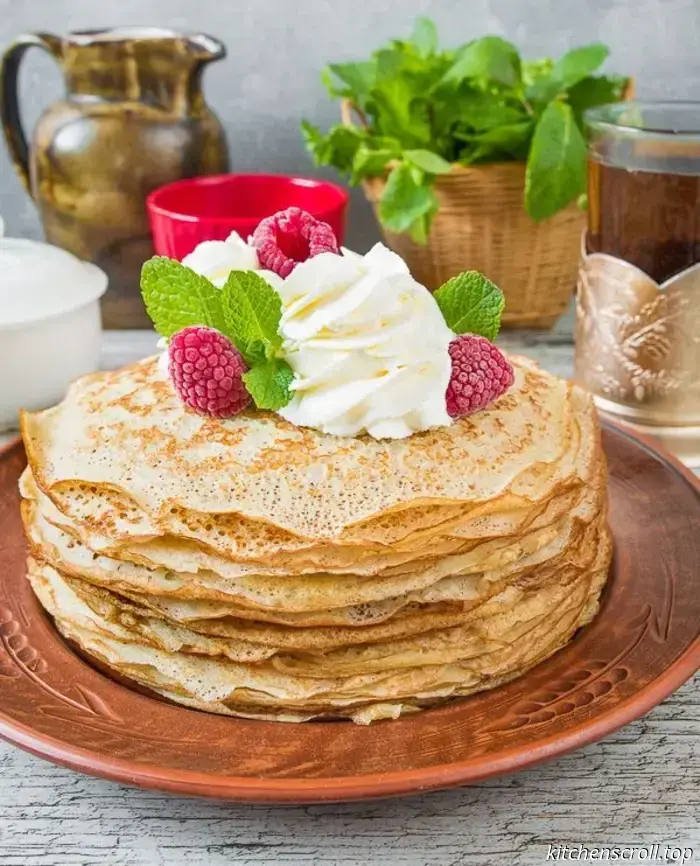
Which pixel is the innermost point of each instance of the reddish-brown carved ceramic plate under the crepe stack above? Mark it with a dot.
(644, 643)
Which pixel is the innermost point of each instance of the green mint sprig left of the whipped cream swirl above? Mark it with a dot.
(246, 309)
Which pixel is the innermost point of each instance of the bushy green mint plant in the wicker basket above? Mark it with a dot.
(421, 109)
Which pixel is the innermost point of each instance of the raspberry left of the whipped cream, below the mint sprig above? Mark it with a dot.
(206, 370)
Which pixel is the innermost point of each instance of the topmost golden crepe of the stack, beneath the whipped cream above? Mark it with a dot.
(121, 452)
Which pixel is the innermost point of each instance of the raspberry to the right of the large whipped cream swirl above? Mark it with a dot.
(480, 374)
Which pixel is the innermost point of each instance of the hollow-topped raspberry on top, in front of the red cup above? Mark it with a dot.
(289, 237)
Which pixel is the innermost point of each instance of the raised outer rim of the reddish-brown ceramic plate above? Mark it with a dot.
(291, 790)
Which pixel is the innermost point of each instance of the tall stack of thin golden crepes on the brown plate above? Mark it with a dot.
(254, 568)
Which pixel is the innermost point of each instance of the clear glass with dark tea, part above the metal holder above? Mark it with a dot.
(644, 186)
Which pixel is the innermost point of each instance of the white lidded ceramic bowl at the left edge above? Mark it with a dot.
(50, 329)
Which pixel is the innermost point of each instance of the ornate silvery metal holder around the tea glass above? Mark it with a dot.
(638, 349)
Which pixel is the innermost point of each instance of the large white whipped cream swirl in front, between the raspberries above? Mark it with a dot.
(368, 345)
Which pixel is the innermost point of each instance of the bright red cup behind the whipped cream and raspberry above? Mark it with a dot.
(209, 208)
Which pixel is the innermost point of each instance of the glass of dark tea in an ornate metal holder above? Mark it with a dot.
(638, 290)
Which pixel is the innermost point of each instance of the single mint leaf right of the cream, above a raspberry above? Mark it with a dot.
(471, 304)
